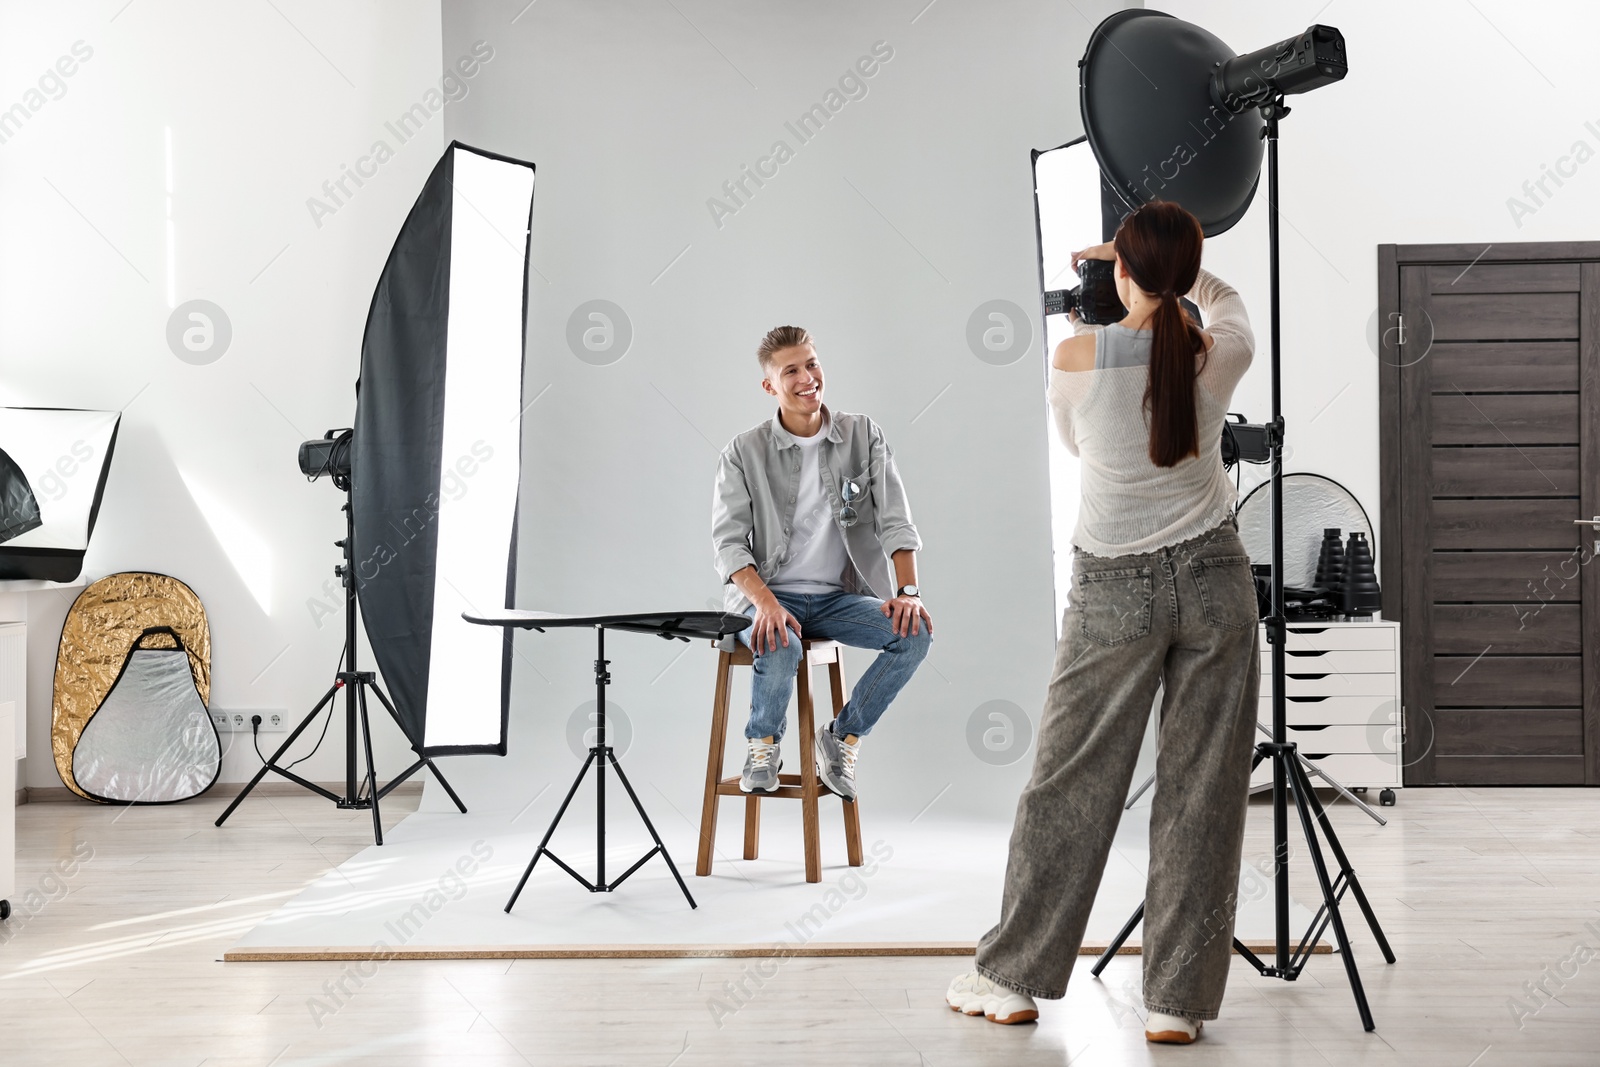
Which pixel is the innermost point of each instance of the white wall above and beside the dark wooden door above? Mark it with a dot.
(1447, 111)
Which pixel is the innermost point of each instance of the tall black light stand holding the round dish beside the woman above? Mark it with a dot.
(1289, 775)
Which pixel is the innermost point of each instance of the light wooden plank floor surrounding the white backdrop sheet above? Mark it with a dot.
(1484, 892)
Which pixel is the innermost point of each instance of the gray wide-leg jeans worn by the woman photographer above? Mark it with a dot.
(1183, 617)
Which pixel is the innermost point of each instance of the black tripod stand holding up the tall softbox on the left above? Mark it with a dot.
(356, 684)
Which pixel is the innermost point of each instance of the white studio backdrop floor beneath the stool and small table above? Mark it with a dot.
(927, 885)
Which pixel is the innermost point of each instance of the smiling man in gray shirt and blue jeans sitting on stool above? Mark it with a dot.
(814, 537)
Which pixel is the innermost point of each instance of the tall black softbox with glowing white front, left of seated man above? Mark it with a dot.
(438, 450)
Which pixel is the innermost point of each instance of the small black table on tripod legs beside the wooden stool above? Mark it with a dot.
(666, 625)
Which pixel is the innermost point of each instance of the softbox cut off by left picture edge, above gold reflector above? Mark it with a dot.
(52, 481)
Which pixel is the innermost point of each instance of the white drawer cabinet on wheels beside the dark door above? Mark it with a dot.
(1343, 695)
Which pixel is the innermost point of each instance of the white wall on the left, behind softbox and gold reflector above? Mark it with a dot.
(265, 105)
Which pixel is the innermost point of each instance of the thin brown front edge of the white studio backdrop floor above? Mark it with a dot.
(665, 953)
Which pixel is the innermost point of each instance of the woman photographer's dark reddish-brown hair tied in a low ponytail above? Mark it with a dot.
(1161, 249)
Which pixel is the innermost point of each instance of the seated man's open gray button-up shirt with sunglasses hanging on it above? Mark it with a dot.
(754, 506)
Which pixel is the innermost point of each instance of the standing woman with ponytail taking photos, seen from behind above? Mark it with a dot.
(1162, 597)
